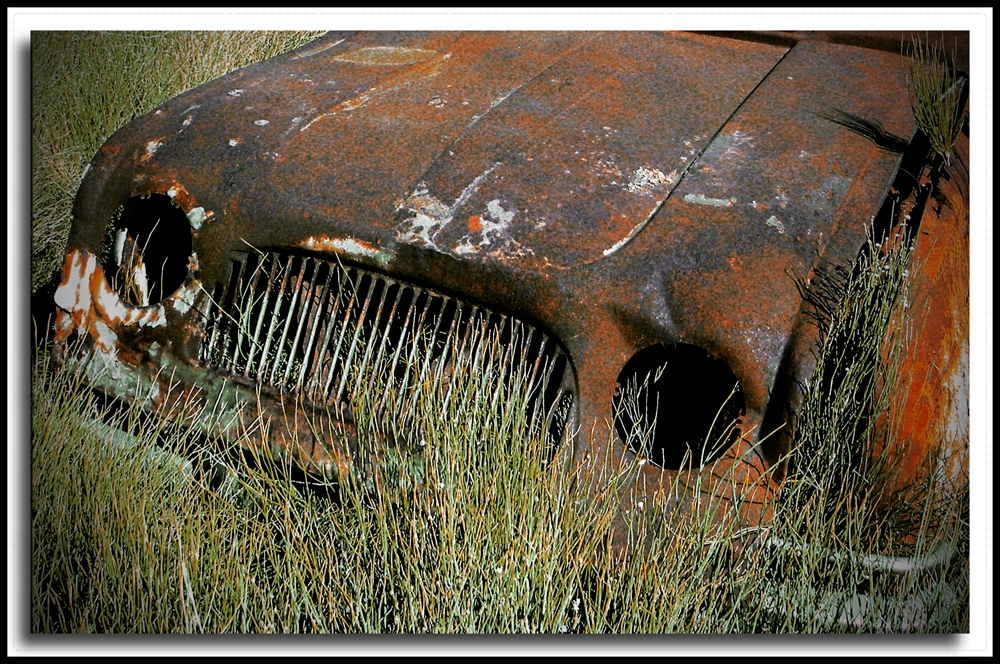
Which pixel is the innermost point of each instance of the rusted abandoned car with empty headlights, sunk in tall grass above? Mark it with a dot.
(602, 212)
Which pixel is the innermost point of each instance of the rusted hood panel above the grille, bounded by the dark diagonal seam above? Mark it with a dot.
(551, 148)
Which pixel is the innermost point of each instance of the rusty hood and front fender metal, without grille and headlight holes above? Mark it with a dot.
(615, 190)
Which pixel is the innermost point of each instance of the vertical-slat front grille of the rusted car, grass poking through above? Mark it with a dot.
(335, 334)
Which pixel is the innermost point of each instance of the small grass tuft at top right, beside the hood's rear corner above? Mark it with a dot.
(934, 89)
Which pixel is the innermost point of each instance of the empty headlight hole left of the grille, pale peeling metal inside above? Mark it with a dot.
(147, 249)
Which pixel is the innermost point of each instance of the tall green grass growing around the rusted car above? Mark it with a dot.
(472, 530)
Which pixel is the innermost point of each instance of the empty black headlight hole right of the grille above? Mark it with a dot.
(677, 405)
